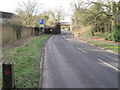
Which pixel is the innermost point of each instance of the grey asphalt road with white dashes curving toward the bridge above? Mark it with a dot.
(71, 63)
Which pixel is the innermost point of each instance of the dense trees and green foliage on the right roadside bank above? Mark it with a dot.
(103, 16)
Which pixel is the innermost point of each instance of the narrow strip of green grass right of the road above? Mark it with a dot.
(114, 48)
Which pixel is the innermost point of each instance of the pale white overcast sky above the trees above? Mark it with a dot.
(11, 5)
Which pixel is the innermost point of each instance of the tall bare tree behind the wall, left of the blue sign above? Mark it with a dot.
(26, 12)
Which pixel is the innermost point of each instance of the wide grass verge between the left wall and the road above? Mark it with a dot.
(26, 61)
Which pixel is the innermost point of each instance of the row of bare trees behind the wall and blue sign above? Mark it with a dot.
(29, 14)
